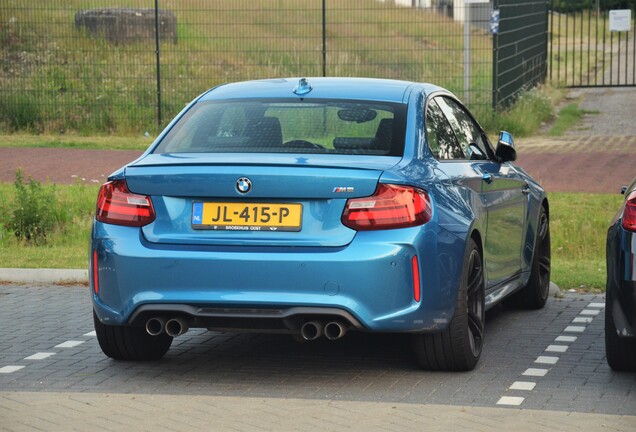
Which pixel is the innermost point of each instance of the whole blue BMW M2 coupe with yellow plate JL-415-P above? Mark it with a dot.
(315, 207)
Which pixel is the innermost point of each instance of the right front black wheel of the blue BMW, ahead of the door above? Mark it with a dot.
(535, 294)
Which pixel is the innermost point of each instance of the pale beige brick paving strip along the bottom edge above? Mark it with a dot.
(23, 411)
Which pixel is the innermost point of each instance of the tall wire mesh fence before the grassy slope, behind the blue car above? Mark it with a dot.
(82, 65)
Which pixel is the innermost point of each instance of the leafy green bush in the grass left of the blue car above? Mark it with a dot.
(35, 210)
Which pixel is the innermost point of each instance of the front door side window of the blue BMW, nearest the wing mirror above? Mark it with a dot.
(466, 130)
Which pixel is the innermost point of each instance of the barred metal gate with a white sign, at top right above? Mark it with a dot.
(592, 43)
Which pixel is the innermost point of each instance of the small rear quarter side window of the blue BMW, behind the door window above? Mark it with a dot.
(440, 136)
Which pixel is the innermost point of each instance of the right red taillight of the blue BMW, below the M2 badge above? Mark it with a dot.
(391, 206)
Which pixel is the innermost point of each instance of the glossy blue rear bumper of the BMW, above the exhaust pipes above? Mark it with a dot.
(369, 282)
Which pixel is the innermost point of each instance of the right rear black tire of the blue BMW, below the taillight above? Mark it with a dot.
(459, 346)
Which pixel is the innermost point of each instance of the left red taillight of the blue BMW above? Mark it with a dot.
(117, 205)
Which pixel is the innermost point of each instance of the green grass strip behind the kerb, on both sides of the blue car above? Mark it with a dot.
(579, 224)
